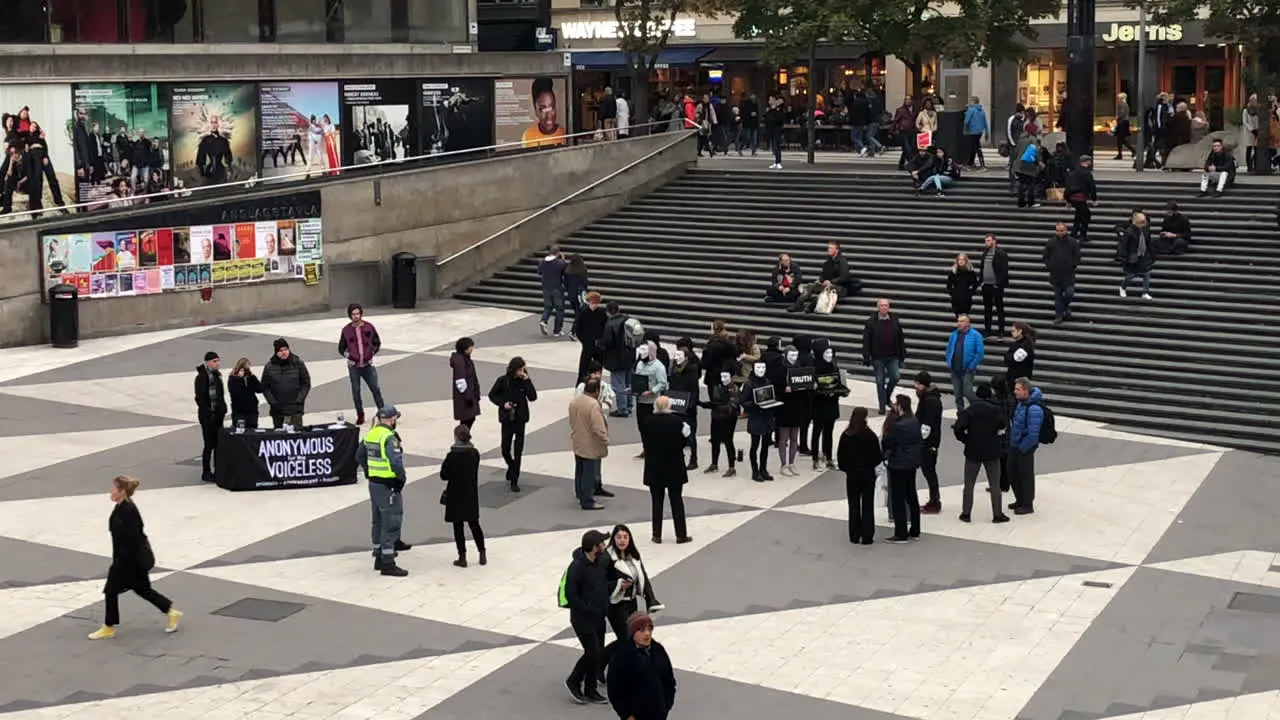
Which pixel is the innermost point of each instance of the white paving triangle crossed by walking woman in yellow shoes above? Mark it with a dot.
(188, 526)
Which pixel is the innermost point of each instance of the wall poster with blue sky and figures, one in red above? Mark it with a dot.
(301, 130)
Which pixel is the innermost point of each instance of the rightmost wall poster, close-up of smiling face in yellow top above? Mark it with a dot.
(529, 112)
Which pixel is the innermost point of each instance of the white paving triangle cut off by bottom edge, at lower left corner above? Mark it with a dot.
(390, 691)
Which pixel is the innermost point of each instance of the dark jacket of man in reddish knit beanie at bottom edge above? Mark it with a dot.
(642, 682)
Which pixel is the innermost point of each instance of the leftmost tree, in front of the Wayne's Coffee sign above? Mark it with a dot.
(644, 30)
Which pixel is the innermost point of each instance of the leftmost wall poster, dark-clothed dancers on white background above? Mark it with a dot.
(38, 171)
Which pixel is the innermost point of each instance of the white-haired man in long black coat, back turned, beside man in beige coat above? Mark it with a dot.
(665, 473)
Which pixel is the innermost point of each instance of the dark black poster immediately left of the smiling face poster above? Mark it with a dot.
(458, 115)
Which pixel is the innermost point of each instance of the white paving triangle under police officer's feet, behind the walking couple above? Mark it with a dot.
(523, 573)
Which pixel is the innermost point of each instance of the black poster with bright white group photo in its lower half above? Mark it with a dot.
(378, 121)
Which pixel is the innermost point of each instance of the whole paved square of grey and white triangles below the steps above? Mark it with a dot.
(1146, 586)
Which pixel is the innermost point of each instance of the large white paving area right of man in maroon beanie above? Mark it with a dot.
(975, 653)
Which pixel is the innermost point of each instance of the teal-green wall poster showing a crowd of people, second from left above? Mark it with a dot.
(121, 142)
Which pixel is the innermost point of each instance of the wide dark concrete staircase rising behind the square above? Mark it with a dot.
(1201, 362)
